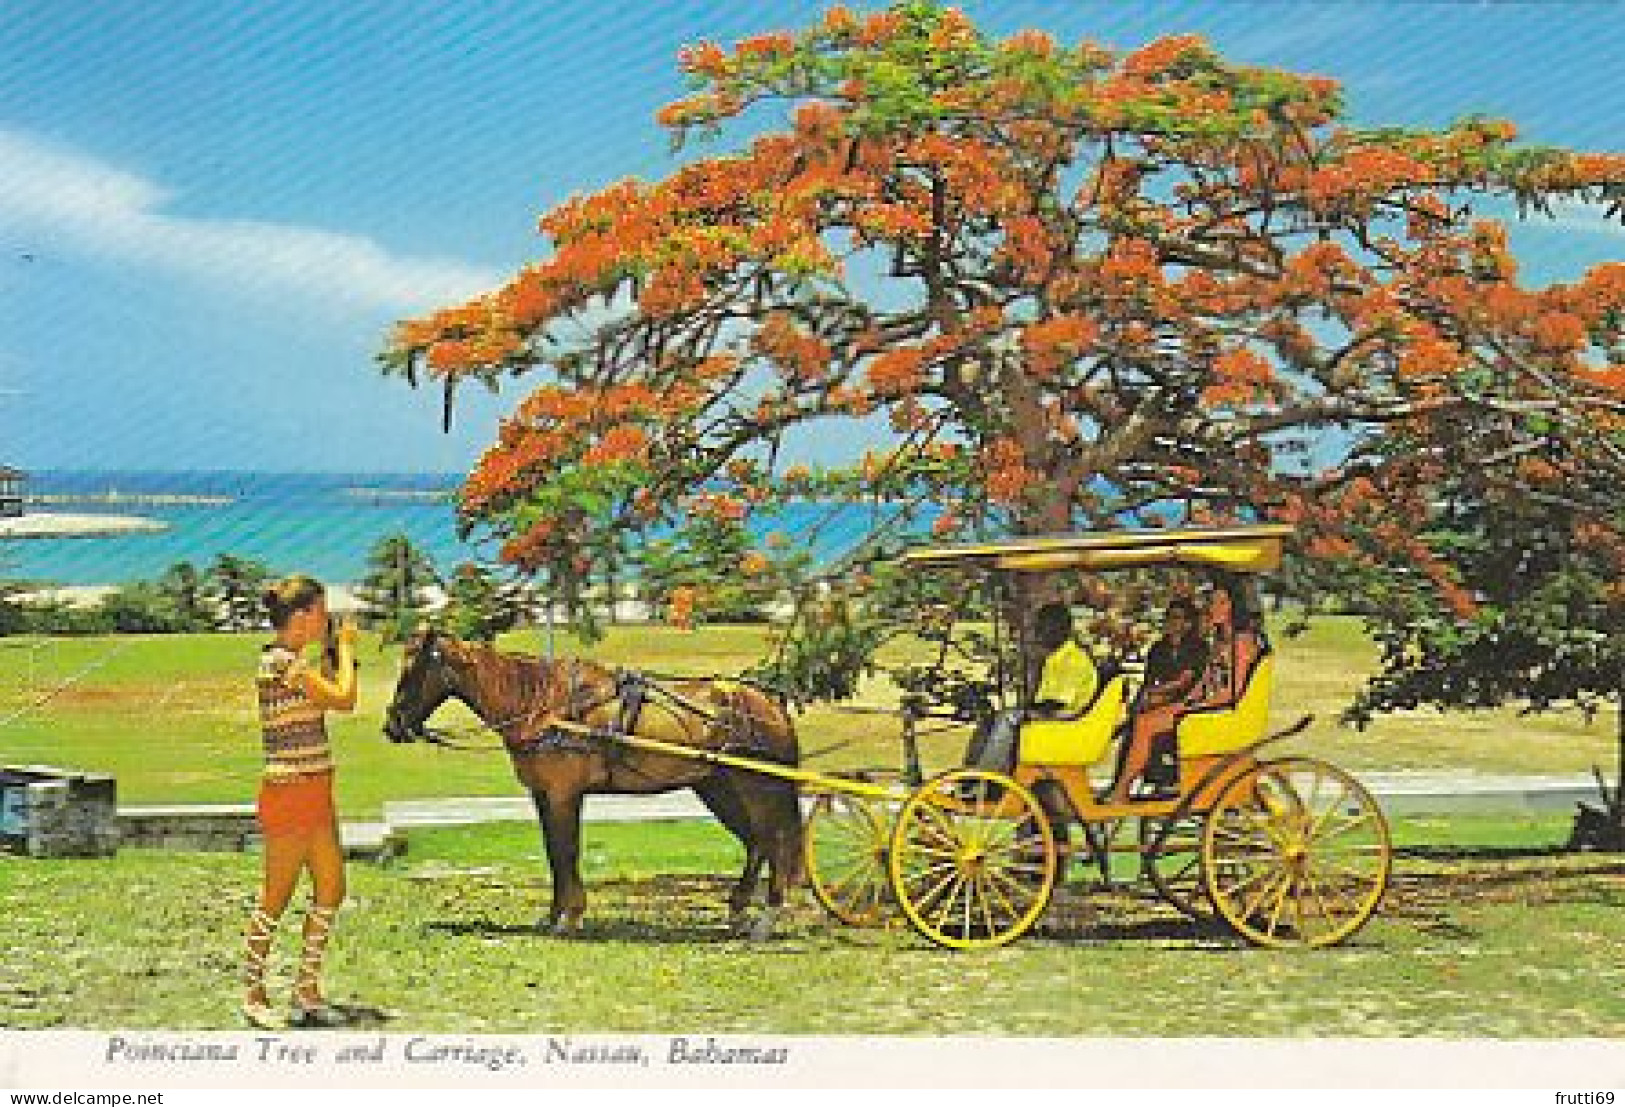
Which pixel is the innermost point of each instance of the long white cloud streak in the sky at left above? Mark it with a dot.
(63, 194)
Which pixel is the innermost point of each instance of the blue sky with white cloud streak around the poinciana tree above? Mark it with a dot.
(210, 214)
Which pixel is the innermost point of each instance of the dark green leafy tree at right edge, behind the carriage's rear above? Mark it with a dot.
(1502, 581)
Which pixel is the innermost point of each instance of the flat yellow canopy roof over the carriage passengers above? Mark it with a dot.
(1231, 549)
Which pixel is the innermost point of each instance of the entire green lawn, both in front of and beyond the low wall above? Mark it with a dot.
(1488, 932)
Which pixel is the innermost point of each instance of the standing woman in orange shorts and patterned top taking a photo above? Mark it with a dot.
(298, 820)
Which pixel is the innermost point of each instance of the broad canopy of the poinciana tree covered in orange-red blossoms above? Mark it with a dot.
(1086, 289)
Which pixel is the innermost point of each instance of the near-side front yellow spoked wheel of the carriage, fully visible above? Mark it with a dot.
(973, 861)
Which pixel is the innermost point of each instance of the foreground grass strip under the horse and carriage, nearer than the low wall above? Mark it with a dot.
(1486, 944)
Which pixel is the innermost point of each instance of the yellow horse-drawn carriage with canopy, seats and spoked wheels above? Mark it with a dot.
(1286, 851)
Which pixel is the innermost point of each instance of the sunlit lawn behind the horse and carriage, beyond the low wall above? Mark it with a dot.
(173, 716)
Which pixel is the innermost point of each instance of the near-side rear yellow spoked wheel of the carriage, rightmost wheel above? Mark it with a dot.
(1296, 854)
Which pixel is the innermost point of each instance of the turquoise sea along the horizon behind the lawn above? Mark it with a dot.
(323, 524)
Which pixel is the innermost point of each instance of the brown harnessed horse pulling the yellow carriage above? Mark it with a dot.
(526, 698)
